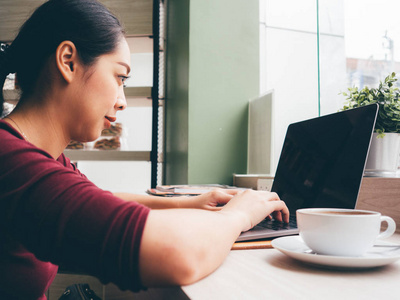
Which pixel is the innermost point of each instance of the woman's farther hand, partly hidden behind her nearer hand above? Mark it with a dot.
(213, 200)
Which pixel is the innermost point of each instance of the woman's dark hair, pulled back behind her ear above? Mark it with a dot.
(87, 23)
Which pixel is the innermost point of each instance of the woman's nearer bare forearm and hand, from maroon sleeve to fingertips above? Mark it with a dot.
(182, 246)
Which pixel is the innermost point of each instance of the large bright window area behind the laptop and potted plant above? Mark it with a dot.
(312, 50)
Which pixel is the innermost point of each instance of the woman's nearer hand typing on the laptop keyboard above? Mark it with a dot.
(254, 206)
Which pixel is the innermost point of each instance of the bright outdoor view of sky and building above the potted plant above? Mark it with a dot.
(372, 38)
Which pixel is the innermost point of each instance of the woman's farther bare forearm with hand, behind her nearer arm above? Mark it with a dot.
(210, 201)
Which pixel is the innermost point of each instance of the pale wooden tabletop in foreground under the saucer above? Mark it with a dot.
(269, 274)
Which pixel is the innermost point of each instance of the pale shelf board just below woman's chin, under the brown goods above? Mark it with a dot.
(107, 155)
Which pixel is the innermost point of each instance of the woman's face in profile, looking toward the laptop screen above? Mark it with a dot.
(101, 94)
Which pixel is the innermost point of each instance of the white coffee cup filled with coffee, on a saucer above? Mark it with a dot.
(342, 232)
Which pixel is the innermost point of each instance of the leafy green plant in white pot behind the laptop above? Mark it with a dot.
(385, 145)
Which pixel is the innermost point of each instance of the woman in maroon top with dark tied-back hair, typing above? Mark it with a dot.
(71, 60)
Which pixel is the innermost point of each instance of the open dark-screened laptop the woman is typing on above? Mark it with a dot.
(321, 166)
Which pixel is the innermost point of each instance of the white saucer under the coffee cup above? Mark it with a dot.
(381, 254)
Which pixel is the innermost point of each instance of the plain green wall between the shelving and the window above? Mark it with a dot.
(212, 72)
